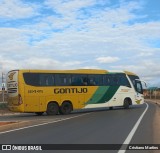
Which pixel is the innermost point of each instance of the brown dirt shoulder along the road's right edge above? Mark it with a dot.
(156, 122)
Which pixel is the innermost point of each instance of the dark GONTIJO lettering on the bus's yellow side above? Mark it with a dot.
(70, 90)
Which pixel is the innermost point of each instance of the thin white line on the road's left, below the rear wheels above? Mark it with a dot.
(59, 120)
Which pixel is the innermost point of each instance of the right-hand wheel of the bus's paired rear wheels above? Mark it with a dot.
(66, 108)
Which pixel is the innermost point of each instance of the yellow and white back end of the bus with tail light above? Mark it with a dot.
(15, 102)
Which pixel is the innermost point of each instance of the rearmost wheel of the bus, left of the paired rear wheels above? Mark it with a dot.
(52, 108)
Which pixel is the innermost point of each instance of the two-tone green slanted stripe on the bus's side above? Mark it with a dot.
(103, 94)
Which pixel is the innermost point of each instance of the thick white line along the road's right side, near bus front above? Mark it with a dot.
(131, 134)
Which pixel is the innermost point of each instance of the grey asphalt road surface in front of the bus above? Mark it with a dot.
(89, 127)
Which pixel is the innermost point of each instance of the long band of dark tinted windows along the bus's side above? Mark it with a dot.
(48, 79)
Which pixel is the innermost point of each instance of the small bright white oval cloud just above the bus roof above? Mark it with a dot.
(108, 59)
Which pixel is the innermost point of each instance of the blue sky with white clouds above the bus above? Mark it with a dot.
(75, 34)
